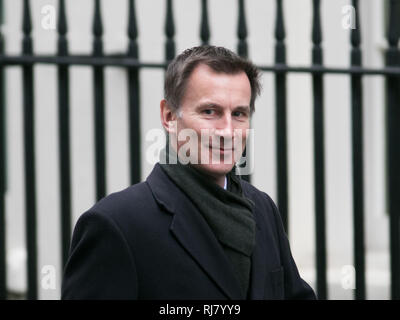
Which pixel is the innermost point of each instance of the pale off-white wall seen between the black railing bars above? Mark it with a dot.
(223, 22)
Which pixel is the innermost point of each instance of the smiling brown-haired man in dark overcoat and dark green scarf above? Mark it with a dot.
(193, 229)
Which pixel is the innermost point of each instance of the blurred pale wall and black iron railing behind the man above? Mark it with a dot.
(81, 83)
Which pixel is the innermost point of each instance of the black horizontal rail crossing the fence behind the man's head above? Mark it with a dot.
(124, 61)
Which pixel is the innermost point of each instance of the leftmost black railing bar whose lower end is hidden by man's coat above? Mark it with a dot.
(64, 135)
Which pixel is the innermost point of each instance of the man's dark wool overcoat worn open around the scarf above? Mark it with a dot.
(150, 242)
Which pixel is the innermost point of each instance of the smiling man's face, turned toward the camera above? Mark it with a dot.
(217, 105)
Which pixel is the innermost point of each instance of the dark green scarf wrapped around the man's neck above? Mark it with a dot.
(227, 212)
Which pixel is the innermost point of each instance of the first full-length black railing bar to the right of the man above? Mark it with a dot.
(319, 159)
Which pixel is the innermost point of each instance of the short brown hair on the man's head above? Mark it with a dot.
(219, 59)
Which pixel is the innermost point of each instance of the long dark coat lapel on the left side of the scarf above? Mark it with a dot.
(192, 232)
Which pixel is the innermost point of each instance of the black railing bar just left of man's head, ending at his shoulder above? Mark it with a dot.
(134, 99)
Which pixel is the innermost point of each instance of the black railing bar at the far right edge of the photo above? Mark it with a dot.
(393, 150)
